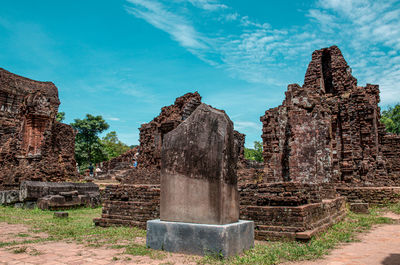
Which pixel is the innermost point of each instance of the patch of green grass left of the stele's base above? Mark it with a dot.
(79, 227)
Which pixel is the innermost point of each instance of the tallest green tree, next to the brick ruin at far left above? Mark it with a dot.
(88, 146)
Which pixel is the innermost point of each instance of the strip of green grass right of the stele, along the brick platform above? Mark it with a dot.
(277, 252)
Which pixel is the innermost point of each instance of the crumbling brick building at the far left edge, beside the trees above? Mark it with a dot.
(33, 145)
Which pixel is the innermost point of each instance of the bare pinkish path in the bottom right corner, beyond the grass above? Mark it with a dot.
(380, 246)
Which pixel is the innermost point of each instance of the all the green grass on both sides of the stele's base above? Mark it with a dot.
(79, 228)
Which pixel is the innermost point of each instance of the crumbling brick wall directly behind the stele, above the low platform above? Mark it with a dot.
(150, 137)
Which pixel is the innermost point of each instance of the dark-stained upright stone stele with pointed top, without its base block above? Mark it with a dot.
(198, 170)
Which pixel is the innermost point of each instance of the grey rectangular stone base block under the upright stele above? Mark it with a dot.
(200, 239)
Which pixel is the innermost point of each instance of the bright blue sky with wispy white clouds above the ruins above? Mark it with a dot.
(125, 59)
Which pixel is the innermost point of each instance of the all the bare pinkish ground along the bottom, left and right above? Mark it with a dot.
(380, 246)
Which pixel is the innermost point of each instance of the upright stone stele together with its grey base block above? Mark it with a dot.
(199, 205)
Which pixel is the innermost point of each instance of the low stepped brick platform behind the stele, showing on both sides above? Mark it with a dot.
(134, 205)
